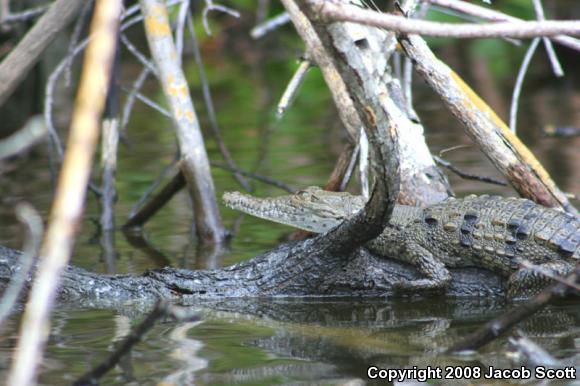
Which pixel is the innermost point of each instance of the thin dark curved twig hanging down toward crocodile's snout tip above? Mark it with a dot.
(215, 129)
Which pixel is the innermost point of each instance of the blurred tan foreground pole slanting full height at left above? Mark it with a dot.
(70, 195)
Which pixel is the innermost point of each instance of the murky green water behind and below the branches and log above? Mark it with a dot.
(281, 341)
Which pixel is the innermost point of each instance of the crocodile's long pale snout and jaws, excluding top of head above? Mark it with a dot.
(289, 210)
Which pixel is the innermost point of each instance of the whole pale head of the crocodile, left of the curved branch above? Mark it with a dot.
(311, 209)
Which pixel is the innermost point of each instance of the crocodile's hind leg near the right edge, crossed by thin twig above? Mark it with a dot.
(526, 282)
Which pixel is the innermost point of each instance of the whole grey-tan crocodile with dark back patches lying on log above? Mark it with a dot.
(489, 232)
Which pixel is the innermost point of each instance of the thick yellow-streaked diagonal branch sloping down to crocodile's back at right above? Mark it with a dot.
(510, 156)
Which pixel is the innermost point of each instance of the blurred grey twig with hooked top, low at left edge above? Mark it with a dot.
(32, 221)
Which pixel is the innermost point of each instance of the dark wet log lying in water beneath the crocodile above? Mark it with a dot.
(291, 270)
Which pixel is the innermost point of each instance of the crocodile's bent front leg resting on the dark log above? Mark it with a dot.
(438, 276)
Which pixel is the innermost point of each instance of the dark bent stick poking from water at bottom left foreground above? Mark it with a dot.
(162, 309)
